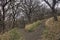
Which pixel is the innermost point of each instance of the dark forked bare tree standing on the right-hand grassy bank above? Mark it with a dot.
(52, 8)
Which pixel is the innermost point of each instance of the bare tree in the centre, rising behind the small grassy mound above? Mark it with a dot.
(29, 6)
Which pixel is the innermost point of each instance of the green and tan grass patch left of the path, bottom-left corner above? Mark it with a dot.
(13, 34)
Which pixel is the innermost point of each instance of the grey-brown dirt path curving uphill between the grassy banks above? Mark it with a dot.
(34, 35)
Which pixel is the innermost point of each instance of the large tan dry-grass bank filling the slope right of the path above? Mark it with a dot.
(52, 29)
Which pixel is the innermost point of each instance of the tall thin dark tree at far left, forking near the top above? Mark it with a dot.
(3, 4)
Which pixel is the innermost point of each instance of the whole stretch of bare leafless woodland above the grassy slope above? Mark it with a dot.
(14, 13)
